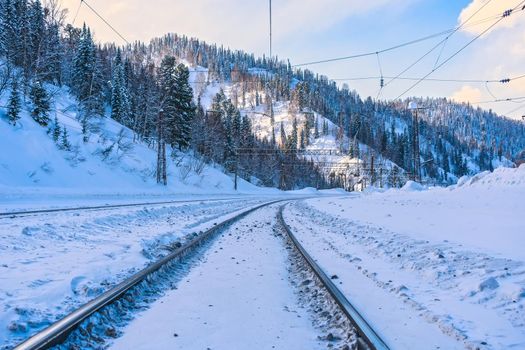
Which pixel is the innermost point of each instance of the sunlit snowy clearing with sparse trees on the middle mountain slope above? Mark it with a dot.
(325, 144)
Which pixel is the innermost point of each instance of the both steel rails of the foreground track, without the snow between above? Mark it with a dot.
(58, 332)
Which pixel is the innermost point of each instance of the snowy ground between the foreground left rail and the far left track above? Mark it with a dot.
(51, 263)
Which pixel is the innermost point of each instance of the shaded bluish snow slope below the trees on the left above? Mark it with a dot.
(111, 161)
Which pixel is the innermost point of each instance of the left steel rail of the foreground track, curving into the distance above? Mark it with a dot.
(58, 332)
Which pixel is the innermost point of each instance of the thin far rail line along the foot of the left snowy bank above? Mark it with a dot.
(106, 206)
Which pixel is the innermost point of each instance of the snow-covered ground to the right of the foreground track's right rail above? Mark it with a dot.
(430, 268)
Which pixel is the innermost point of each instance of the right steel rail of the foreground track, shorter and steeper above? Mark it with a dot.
(367, 336)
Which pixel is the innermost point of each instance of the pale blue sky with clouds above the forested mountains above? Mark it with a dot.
(311, 30)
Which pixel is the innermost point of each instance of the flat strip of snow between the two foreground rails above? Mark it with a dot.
(237, 297)
